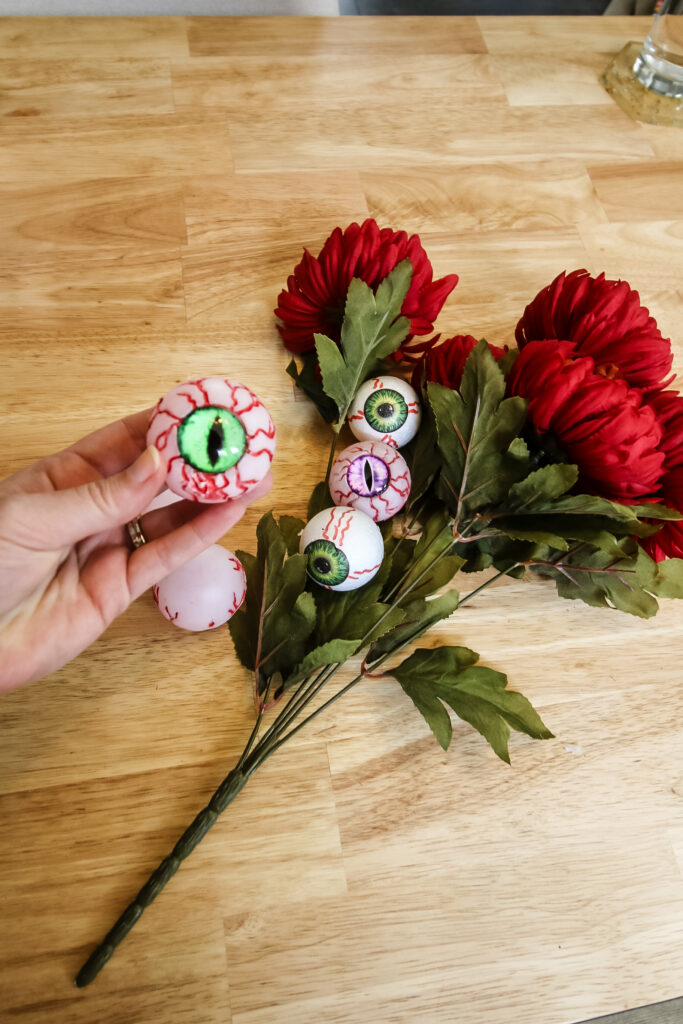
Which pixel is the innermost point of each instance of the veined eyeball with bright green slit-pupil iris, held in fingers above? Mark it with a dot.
(217, 437)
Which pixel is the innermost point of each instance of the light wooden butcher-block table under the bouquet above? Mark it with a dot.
(159, 181)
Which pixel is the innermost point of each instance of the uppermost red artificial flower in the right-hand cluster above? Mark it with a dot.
(605, 320)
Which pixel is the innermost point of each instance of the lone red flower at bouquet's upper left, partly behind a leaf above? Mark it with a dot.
(316, 294)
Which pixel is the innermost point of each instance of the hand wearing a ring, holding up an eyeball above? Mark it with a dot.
(67, 569)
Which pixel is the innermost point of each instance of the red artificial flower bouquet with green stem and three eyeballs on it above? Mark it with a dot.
(560, 458)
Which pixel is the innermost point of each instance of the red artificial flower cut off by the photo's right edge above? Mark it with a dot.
(668, 542)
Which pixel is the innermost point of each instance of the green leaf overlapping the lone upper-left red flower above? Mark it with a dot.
(373, 328)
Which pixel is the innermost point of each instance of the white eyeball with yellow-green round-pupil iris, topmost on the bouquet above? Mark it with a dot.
(386, 409)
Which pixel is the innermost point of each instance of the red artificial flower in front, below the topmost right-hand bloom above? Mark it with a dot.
(603, 425)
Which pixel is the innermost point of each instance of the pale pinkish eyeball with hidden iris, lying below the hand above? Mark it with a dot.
(205, 592)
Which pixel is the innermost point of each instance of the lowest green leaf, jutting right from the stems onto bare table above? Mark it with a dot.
(478, 695)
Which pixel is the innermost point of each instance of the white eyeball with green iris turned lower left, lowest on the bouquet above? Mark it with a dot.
(344, 547)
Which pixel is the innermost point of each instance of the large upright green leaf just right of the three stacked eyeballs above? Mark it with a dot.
(476, 429)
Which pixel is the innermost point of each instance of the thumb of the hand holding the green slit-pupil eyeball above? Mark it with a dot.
(64, 518)
